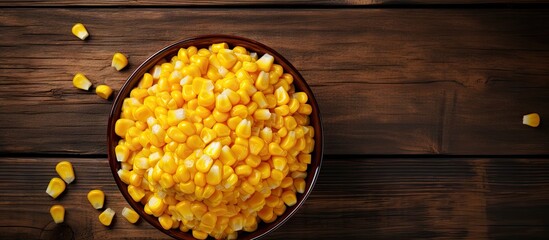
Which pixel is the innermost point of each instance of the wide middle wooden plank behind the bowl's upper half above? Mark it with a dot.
(388, 81)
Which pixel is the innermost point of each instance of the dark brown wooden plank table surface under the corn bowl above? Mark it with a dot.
(422, 104)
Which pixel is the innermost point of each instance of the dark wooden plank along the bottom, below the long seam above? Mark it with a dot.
(361, 198)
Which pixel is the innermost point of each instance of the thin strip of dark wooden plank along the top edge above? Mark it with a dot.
(282, 3)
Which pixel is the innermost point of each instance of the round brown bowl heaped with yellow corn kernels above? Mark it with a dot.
(215, 137)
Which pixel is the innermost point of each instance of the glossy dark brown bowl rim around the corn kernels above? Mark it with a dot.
(204, 42)
